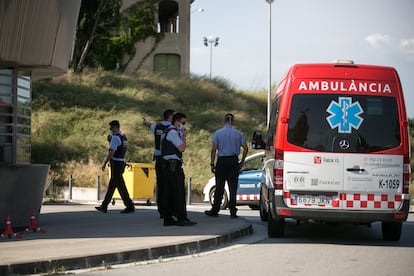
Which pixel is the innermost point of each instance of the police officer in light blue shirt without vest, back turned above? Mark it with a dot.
(226, 144)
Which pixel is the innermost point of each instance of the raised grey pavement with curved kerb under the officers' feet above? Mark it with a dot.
(73, 236)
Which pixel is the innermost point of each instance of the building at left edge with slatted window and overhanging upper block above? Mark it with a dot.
(36, 41)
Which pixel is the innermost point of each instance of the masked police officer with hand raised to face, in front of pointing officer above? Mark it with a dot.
(173, 144)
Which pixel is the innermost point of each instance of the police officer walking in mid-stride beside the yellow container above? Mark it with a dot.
(116, 158)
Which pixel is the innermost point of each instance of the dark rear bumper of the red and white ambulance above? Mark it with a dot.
(278, 209)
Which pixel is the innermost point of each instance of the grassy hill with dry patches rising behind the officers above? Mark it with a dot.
(71, 115)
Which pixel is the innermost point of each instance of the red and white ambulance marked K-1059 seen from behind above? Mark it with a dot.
(337, 148)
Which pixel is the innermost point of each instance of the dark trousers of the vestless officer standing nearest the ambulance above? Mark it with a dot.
(227, 168)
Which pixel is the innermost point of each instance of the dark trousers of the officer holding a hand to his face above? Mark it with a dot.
(174, 191)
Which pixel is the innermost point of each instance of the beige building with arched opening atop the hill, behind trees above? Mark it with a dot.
(172, 54)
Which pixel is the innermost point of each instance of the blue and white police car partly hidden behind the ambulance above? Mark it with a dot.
(248, 188)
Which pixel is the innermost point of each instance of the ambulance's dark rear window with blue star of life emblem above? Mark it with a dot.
(344, 123)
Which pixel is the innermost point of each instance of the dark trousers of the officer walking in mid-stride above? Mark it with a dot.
(117, 182)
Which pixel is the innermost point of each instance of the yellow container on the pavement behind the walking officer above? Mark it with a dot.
(139, 180)
